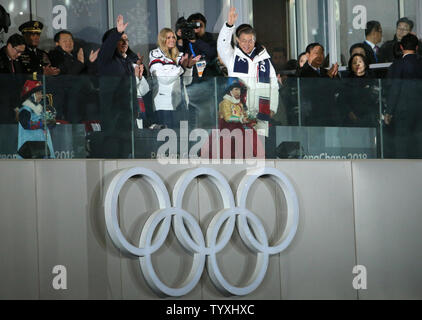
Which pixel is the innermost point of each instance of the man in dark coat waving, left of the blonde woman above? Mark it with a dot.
(117, 101)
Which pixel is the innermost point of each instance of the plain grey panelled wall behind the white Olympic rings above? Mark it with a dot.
(351, 213)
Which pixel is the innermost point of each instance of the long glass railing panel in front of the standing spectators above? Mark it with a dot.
(82, 117)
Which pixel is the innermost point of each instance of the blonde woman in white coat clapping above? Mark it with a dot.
(171, 72)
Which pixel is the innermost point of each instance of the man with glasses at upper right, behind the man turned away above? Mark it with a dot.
(391, 51)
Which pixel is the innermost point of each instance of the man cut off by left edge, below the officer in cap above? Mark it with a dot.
(10, 84)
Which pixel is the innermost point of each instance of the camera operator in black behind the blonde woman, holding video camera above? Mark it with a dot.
(195, 41)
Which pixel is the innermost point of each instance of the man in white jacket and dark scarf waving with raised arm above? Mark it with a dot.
(251, 63)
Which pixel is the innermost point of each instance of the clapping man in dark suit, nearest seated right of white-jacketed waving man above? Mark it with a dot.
(317, 96)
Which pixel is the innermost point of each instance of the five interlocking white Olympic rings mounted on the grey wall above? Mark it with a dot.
(204, 250)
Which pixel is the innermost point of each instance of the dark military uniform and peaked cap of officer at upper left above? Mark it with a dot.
(33, 59)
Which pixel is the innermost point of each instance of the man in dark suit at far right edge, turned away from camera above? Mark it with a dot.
(404, 100)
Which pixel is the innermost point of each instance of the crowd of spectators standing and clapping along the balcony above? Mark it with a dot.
(181, 68)
